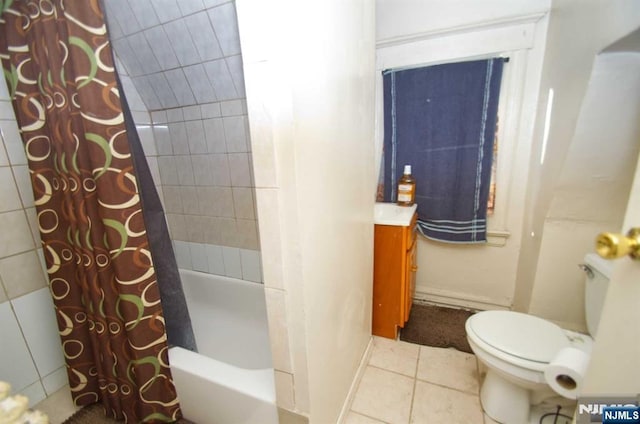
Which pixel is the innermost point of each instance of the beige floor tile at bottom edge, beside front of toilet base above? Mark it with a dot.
(437, 404)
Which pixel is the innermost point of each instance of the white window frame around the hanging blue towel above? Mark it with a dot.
(512, 40)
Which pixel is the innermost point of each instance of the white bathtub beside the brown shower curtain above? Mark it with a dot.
(230, 380)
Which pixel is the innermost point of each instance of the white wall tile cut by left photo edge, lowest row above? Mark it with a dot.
(16, 366)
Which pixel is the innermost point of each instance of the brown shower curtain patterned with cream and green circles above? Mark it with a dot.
(59, 68)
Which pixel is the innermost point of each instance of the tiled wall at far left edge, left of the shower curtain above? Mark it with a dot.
(30, 357)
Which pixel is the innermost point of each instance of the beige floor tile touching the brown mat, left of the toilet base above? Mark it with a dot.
(448, 367)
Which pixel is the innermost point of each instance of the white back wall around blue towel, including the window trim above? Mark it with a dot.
(415, 33)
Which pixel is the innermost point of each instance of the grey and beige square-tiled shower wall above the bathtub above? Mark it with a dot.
(183, 60)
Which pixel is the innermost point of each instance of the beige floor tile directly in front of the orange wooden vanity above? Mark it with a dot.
(394, 355)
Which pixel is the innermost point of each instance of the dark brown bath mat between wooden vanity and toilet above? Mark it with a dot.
(437, 326)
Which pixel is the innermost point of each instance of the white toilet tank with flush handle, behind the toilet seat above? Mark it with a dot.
(597, 274)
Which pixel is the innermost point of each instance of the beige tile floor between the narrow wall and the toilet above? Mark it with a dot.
(407, 383)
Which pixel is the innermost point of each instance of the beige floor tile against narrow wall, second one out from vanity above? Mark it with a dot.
(384, 395)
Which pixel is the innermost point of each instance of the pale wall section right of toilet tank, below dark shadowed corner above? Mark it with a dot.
(591, 193)
